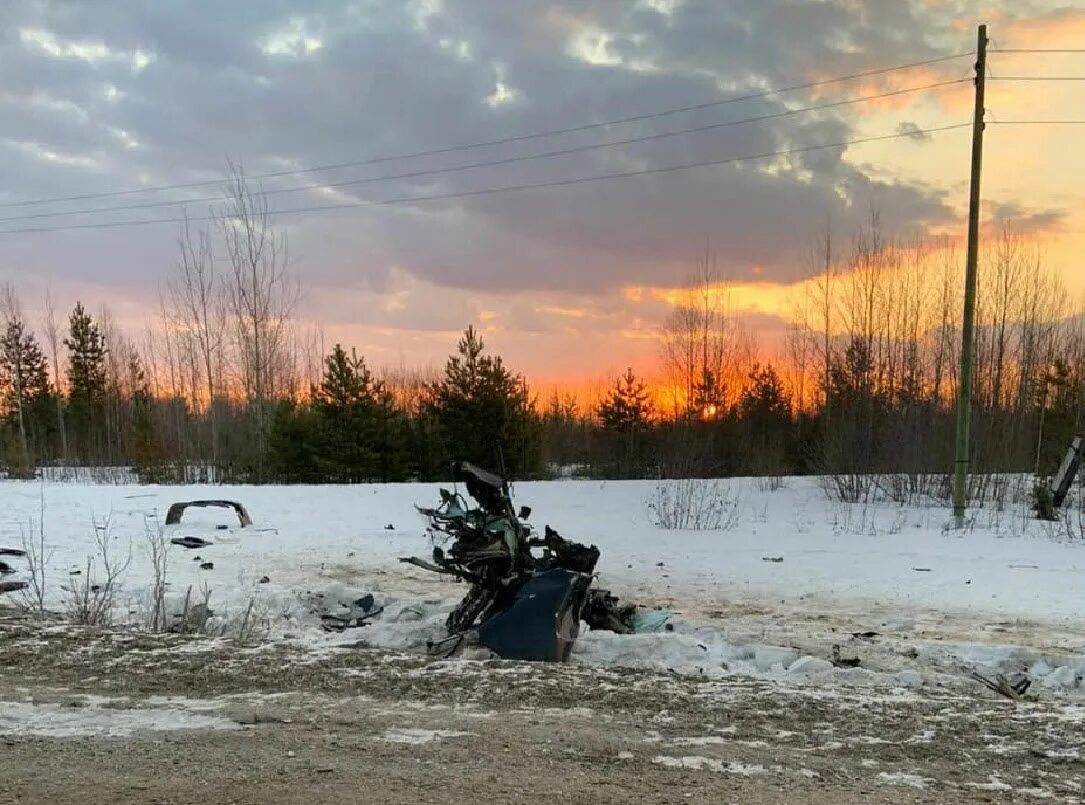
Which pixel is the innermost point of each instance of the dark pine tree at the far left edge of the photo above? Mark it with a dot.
(25, 390)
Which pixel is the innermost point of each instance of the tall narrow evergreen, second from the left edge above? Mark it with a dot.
(86, 382)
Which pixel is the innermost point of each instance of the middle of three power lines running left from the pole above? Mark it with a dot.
(505, 161)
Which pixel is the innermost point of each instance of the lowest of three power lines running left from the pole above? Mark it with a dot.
(513, 188)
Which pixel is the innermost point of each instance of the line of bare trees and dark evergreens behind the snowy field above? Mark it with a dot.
(226, 387)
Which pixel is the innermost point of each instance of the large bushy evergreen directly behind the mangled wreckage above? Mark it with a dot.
(484, 413)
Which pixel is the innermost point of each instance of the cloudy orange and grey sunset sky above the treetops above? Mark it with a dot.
(568, 283)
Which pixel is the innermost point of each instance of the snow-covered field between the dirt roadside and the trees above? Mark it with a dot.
(793, 576)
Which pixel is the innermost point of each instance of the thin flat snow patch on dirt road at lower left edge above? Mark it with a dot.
(56, 721)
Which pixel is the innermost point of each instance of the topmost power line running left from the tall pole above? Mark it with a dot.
(502, 142)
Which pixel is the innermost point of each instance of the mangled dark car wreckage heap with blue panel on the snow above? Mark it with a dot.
(528, 594)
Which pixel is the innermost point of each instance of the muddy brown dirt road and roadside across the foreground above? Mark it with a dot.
(363, 725)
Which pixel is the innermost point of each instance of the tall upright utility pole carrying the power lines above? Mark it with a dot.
(967, 325)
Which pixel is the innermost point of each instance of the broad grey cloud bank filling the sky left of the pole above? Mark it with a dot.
(110, 95)
